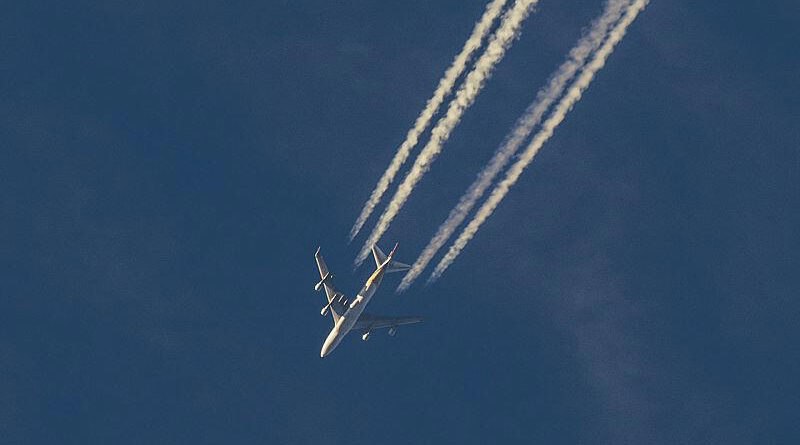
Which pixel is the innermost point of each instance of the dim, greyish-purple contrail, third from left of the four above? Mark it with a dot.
(576, 58)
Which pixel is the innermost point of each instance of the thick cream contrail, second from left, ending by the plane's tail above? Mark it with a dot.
(495, 50)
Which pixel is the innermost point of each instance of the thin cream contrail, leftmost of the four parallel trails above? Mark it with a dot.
(446, 83)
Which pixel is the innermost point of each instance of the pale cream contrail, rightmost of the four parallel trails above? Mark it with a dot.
(572, 96)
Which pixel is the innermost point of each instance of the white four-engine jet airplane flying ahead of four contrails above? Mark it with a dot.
(349, 315)
